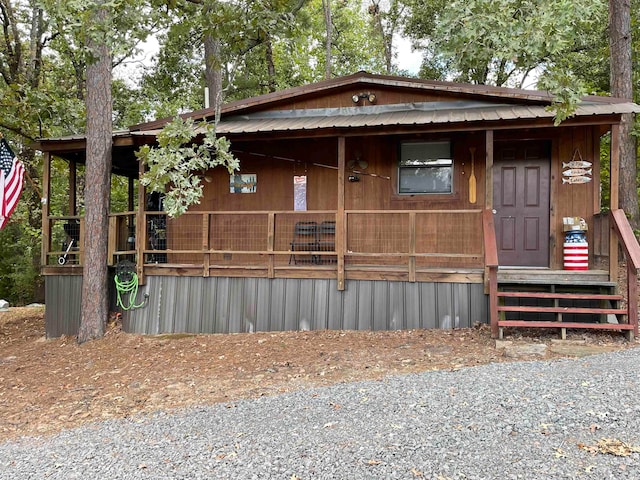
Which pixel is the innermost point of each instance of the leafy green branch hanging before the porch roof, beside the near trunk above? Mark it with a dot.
(176, 165)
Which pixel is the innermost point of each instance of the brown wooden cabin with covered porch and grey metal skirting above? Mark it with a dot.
(365, 202)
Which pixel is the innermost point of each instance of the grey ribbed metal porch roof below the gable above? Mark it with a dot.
(429, 113)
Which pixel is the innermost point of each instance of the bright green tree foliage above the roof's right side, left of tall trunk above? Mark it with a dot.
(501, 42)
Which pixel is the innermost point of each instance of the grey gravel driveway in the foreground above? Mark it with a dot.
(560, 419)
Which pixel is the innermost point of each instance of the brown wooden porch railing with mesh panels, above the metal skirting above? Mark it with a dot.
(405, 240)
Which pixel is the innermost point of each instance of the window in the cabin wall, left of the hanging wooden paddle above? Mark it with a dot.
(425, 167)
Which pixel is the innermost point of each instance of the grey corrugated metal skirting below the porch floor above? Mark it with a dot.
(235, 305)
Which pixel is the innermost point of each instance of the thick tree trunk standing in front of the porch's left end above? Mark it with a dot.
(95, 299)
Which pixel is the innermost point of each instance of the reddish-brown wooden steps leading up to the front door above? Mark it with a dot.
(559, 300)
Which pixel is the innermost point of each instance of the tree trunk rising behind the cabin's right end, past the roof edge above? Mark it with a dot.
(621, 86)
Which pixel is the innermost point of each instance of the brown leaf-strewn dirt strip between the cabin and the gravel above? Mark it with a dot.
(50, 385)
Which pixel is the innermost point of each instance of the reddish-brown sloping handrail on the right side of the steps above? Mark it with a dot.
(627, 239)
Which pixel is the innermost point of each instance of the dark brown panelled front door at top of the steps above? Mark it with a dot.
(521, 175)
